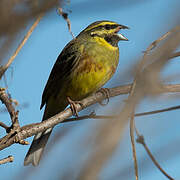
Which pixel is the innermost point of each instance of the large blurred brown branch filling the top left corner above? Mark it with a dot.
(15, 16)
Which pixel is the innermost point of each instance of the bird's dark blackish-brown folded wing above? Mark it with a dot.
(61, 70)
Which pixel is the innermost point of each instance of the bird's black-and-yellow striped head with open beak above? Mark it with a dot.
(108, 30)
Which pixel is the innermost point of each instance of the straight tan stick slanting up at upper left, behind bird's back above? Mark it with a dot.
(5, 67)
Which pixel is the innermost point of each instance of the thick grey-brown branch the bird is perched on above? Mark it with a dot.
(32, 129)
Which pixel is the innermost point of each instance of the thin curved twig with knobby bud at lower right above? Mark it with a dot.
(140, 140)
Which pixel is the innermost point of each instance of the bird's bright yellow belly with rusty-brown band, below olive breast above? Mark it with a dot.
(88, 78)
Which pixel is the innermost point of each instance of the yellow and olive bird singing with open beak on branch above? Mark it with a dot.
(85, 64)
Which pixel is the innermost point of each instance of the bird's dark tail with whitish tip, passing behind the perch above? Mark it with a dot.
(40, 140)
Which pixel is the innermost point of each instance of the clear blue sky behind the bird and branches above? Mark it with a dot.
(148, 20)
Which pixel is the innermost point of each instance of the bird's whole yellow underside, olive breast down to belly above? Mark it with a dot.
(94, 69)
